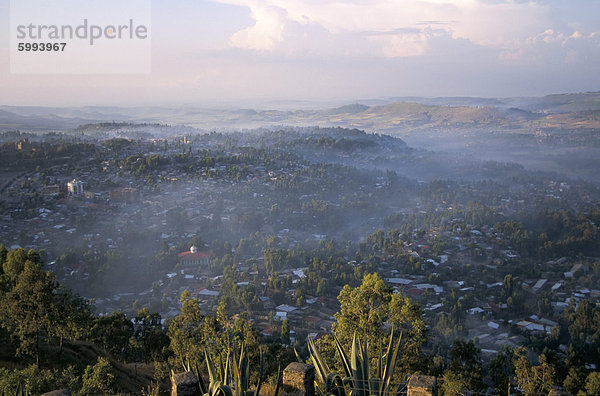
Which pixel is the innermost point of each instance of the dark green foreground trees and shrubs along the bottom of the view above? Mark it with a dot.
(50, 339)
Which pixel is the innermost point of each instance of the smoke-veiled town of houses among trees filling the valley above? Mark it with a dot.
(186, 231)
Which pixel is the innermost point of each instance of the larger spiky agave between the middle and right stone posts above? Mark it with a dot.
(356, 369)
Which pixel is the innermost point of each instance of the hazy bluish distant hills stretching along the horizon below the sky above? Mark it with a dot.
(577, 111)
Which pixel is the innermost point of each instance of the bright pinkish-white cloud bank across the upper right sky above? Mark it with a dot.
(400, 28)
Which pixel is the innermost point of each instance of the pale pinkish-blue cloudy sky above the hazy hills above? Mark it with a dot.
(257, 53)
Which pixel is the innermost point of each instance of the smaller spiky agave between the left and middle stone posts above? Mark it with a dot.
(222, 383)
